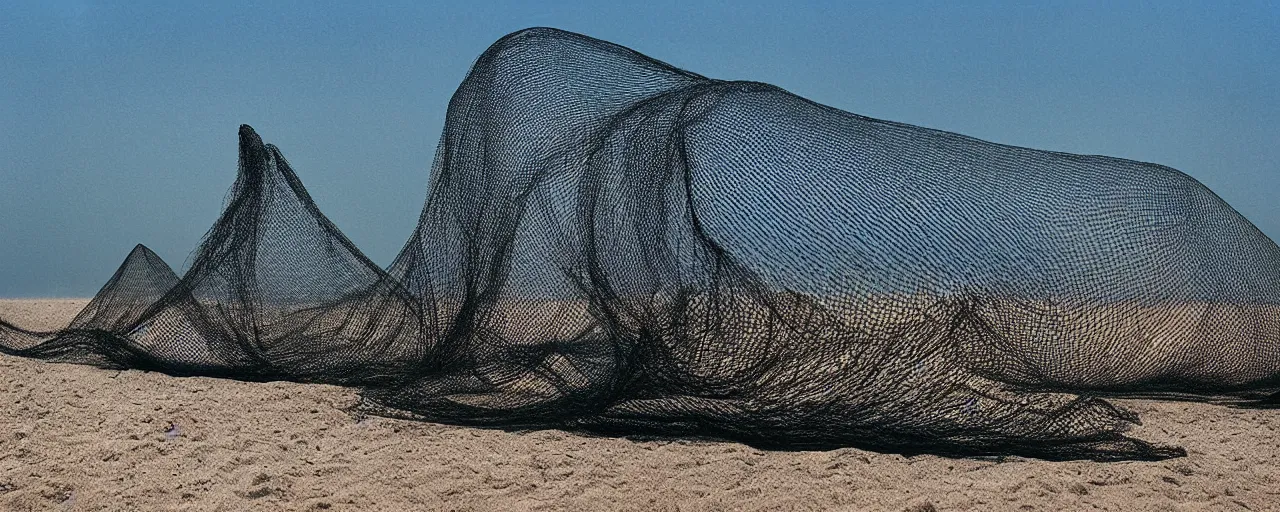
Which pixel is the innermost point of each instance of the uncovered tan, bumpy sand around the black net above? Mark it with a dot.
(77, 438)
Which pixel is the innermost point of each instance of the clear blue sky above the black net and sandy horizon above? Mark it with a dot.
(118, 121)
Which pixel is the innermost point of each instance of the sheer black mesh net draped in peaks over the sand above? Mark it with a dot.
(615, 245)
